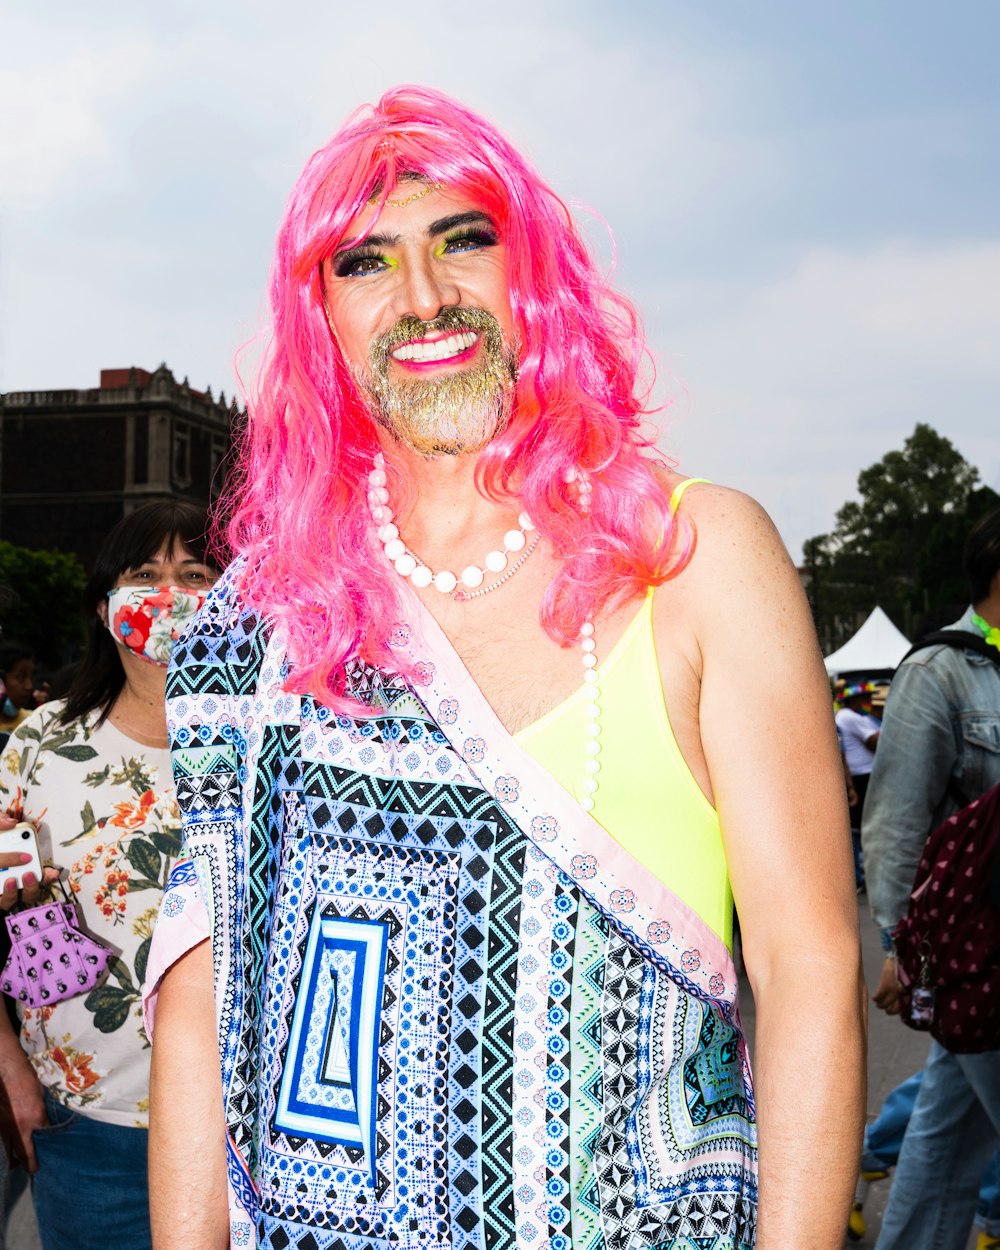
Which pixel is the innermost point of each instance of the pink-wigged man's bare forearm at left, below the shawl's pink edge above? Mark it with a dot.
(187, 1128)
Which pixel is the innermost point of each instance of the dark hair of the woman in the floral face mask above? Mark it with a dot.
(136, 539)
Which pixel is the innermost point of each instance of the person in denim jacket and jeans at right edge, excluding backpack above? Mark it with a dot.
(939, 748)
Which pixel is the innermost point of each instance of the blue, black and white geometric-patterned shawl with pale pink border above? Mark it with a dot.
(453, 1011)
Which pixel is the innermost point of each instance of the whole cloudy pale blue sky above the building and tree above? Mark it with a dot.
(804, 198)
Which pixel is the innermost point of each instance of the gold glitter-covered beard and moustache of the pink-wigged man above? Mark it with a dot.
(456, 413)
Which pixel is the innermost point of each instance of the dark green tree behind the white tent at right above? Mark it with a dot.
(901, 544)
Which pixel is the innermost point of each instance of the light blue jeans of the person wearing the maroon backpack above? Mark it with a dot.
(952, 1137)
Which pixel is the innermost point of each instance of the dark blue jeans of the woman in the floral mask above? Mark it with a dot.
(91, 1191)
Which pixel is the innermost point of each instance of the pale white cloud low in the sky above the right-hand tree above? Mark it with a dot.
(798, 383)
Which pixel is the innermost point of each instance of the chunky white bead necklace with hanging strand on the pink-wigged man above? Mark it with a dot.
(411, 566)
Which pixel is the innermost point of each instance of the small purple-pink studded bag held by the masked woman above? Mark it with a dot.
(51, 959)
